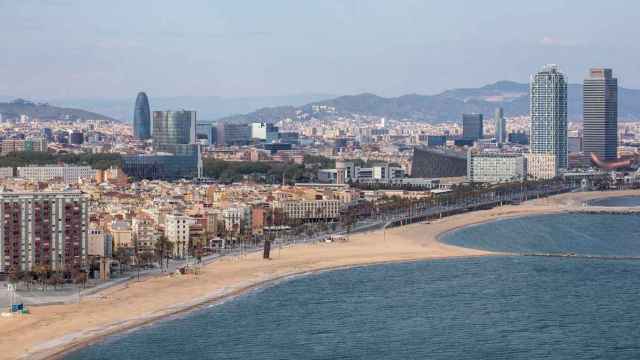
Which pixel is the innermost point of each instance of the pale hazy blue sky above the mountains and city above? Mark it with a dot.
(91, 48)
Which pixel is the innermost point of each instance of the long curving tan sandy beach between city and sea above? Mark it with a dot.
(49, 331)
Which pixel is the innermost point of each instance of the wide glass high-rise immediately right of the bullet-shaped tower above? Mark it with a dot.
(173, 127)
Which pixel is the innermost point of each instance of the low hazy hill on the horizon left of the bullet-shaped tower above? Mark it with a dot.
(19, 107)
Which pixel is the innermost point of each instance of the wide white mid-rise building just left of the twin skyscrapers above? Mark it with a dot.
(495, 167)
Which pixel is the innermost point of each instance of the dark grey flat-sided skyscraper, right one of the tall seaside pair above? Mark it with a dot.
(600, 117)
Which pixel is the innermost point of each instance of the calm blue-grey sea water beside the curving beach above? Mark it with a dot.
(483, 308)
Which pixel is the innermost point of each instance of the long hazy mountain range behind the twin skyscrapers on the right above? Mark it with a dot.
(448, 105)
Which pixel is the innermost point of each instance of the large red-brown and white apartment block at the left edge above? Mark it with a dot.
(46, 228)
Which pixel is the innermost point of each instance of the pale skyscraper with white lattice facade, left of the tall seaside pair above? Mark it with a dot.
(548, 110)
